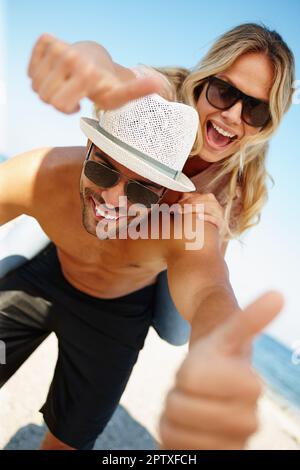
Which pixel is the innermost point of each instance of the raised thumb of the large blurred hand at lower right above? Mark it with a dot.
(241, 328)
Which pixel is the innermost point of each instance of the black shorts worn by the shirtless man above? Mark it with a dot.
(99, 342)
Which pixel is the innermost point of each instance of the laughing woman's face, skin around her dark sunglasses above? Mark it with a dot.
(252, 73)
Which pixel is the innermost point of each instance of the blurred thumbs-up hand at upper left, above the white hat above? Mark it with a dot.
(63, 74)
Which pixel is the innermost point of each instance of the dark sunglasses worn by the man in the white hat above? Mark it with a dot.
(106, 177)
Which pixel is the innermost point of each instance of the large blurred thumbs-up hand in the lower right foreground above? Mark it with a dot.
(213, 402)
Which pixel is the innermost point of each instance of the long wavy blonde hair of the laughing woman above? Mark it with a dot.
(187, 85)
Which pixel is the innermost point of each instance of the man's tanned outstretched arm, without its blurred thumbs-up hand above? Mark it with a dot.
(199, 283)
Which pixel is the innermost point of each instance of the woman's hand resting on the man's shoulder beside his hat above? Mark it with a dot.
(213, 211)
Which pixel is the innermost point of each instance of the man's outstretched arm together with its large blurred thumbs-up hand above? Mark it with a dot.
(213, 403)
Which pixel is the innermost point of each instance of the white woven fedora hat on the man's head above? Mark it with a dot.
(151, 136)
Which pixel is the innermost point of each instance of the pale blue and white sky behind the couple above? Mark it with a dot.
(165, 32)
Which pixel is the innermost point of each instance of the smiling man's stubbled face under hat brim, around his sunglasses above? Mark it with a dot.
(108, 204)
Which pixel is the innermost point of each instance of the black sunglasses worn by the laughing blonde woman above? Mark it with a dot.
(223, 95)
